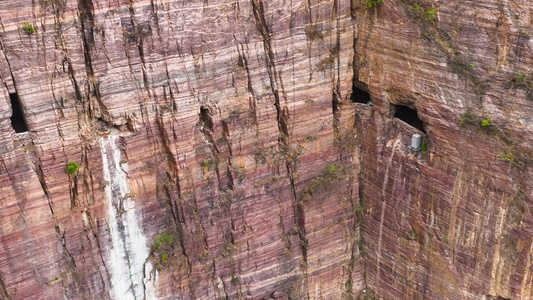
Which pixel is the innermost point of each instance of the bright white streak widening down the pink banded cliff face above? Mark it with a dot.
(128, 249)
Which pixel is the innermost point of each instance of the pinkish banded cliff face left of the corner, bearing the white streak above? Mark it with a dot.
(226, 116)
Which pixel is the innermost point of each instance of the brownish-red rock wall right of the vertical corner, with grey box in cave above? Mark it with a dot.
(456, 221)
